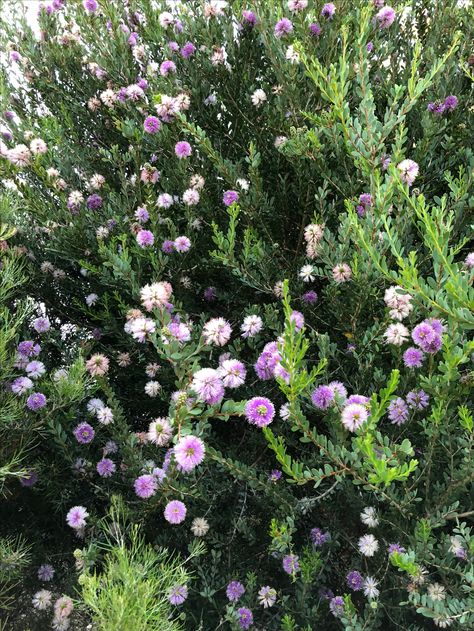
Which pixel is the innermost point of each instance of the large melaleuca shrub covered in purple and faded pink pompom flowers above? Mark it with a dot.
(251, 221)
